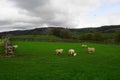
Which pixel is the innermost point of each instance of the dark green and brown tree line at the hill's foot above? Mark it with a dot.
(67, 34)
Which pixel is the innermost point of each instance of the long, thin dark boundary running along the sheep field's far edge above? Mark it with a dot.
(61, 40)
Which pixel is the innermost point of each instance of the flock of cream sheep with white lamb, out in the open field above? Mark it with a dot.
(72, 51)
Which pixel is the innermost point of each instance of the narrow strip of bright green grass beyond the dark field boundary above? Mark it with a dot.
(36, 36)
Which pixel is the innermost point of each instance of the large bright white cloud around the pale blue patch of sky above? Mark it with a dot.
(78, 12)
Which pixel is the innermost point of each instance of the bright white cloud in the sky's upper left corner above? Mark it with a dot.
(9, 12)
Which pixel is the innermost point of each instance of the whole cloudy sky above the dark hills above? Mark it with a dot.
(29, 14)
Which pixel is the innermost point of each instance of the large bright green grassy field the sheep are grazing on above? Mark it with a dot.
(37, 61)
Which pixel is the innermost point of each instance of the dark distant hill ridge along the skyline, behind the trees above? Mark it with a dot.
(42, 31)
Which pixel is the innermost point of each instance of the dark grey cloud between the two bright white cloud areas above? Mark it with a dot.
(42, 9)
